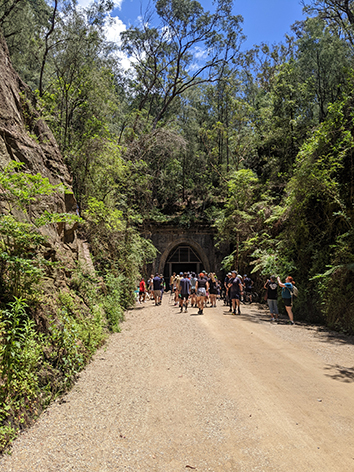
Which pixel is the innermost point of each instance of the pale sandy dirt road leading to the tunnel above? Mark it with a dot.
(177, 391)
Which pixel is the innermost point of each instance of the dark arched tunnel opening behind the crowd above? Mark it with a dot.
(182, 259)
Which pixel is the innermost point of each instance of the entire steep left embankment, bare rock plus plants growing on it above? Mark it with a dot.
(65, 322)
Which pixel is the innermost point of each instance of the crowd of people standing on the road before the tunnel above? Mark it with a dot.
(204, 289)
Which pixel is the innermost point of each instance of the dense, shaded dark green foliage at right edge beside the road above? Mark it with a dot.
(318, 222)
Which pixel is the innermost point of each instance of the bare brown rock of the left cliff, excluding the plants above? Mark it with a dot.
(25, 138)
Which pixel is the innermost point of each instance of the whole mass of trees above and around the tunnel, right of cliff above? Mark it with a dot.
(257, 144)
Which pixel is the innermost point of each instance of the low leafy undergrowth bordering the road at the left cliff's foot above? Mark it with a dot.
(36, 367)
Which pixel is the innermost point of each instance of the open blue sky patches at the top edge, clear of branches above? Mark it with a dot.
(264, 20)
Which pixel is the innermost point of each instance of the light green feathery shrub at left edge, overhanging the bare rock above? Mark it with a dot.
(21, 265)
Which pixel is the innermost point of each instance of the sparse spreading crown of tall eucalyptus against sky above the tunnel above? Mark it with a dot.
(188, 47)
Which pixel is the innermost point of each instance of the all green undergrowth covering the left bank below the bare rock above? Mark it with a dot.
(47, 335)
